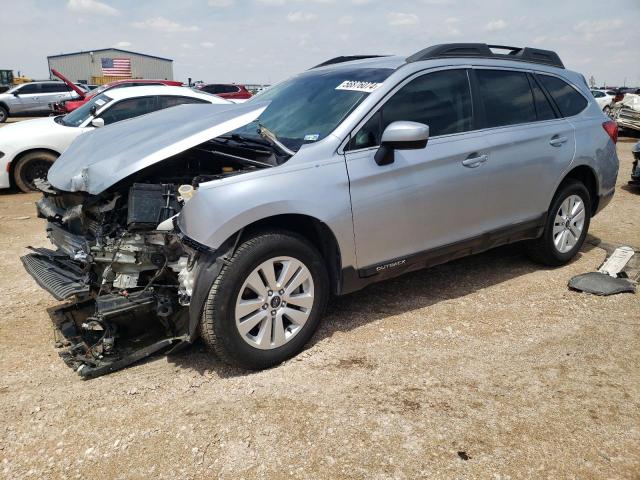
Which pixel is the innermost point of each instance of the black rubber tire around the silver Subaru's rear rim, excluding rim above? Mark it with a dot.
(543, 250)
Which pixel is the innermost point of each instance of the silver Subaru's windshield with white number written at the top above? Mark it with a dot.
(308, 107)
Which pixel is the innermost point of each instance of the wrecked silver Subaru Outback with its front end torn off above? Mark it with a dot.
(237, 223)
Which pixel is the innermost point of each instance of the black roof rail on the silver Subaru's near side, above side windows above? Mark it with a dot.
(482, 50)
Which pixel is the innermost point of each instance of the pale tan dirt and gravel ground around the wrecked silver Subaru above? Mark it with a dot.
(487, 367)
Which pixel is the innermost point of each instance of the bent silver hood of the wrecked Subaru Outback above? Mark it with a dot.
(103, 157)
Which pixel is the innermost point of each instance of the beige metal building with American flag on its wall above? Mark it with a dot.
(108, 64)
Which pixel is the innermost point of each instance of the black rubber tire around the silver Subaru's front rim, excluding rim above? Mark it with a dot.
(218, 326)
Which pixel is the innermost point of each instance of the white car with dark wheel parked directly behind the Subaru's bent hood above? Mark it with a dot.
(28, 148)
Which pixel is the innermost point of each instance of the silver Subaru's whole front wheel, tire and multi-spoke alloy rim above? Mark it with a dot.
(266, 302)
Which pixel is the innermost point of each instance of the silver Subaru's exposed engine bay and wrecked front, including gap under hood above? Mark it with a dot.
(119, 261)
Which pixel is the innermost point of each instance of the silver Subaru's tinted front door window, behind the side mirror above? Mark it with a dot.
(441, 100)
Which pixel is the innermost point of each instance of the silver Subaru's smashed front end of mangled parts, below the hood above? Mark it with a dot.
(119, 271)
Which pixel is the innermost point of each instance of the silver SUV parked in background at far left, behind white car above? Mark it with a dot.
(33, 98)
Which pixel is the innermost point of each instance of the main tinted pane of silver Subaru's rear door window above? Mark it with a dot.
(506, 96)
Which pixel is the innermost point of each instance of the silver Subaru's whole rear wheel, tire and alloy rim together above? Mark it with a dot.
(566, 226)
